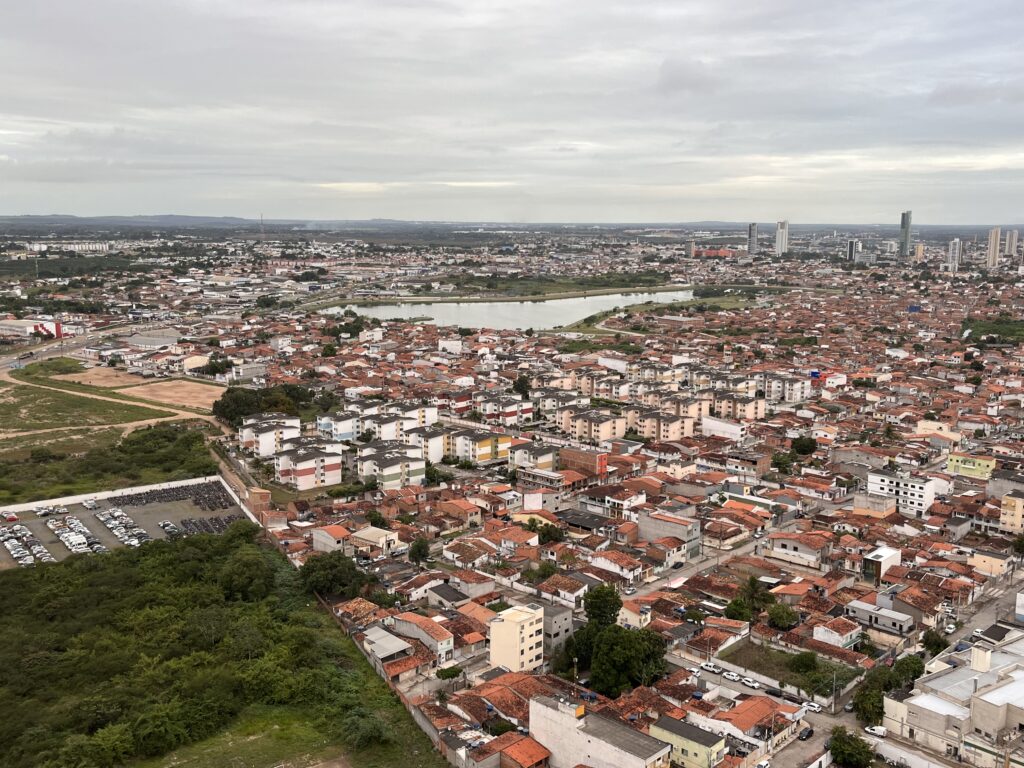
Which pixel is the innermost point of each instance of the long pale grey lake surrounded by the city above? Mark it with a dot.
(516, 315)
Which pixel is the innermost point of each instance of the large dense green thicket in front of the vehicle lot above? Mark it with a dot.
(135, 654)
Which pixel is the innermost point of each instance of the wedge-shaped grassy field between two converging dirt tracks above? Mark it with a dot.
(25, 409)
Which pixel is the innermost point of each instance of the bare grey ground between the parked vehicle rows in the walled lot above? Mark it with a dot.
(147, 518)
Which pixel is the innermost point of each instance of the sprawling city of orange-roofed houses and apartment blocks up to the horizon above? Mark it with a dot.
(700, 530)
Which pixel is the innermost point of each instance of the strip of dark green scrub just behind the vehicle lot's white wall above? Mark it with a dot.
(158, 454)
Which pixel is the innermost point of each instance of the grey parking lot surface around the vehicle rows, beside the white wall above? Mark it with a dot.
(146, 518)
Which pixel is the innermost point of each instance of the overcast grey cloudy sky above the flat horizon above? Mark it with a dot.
(817, 111)
